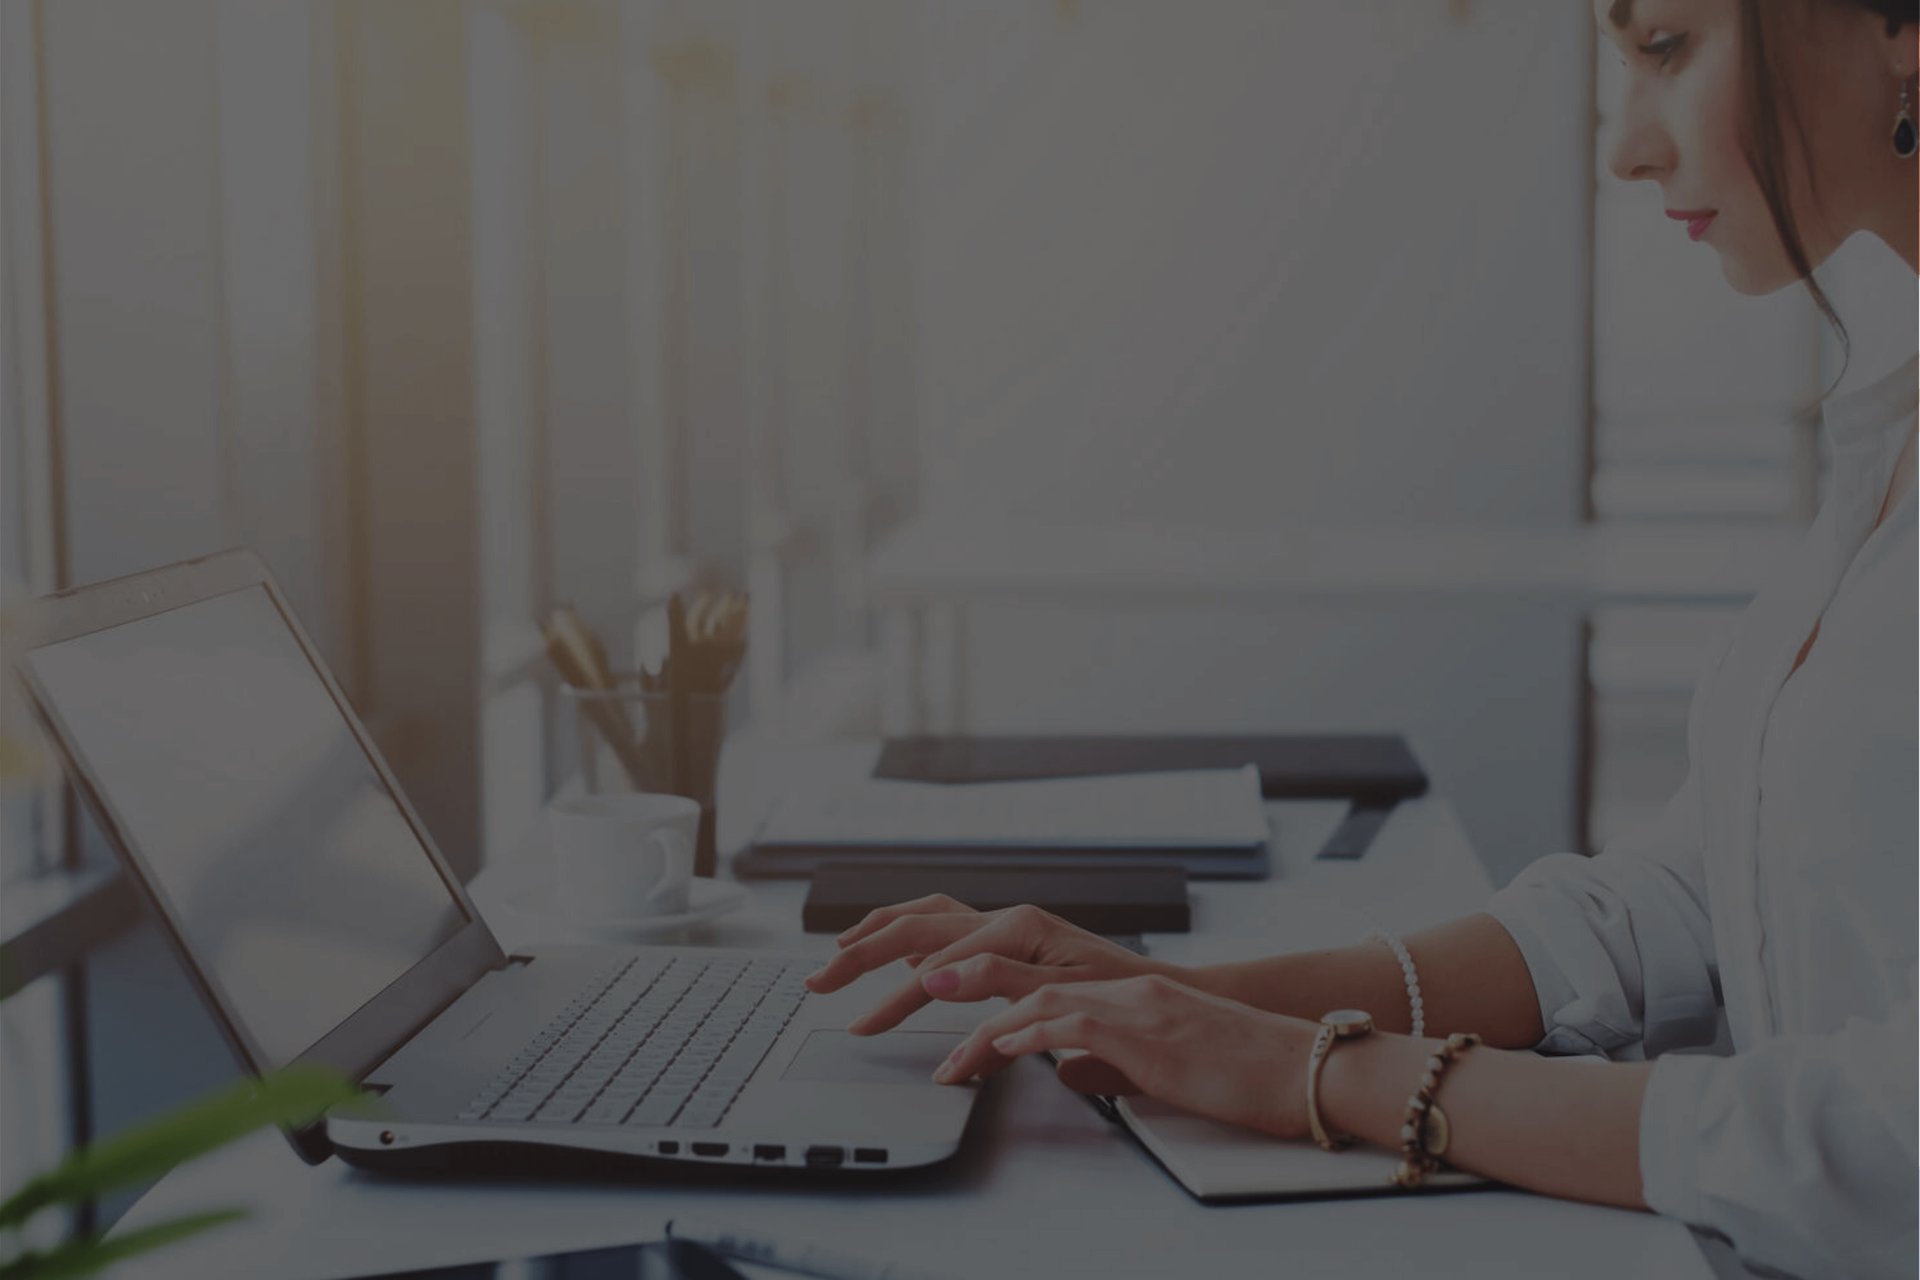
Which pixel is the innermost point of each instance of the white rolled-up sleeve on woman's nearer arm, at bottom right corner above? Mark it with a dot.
(1798, 1150)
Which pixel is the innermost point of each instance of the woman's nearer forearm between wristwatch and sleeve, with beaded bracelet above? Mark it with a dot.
(1516, 1118)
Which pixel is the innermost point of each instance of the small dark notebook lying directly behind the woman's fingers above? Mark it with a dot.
(1101, 899)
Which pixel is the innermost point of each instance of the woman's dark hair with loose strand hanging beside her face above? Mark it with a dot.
(1769, 112)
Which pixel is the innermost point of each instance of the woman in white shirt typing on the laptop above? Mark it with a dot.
(1777, 888)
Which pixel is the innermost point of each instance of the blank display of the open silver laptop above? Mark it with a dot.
(283, 859)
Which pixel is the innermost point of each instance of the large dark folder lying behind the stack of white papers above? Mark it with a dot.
(1372, 769)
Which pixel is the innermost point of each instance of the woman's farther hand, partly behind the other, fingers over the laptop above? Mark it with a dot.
(963, 955)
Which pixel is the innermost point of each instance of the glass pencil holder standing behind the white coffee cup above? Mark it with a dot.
(633, 740)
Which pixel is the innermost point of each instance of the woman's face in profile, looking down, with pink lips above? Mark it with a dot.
(1681, 124)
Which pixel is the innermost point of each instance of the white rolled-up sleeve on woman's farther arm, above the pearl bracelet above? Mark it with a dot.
(1621, 947)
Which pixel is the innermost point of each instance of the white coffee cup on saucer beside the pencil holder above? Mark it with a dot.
(623, 855)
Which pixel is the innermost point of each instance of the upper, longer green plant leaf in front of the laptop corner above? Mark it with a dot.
(291, 1097)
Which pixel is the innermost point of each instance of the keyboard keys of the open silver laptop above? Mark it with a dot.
(654, 1041)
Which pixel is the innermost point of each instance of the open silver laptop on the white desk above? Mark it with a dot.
(322, 924)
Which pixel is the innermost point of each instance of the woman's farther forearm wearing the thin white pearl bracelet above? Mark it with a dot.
(1474, 978)
